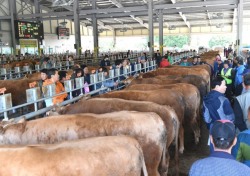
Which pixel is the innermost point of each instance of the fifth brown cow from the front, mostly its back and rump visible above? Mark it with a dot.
(191, 96)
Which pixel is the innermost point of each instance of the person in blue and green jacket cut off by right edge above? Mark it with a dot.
(241, 150)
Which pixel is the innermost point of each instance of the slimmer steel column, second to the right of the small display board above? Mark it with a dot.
(95, 31)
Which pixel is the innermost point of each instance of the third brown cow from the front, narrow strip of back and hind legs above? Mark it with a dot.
(105, 105)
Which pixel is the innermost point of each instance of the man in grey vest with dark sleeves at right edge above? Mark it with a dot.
(241, 104)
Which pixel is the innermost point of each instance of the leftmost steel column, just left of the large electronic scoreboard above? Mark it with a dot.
(12, 5)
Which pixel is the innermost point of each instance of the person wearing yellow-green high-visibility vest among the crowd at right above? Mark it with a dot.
(228, 74)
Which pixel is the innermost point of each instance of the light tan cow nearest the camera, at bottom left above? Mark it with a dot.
(93, 156)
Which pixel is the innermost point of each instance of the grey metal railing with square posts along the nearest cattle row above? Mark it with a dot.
(96, 79)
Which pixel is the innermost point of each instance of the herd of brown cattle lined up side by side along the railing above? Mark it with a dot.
(152, 111)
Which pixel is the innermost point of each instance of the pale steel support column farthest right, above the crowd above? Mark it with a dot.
(239, 25)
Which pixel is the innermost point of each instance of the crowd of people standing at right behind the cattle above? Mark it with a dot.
(226, 112)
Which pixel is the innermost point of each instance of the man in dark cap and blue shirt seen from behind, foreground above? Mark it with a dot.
(220, 162)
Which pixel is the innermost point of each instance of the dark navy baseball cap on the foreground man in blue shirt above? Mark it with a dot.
(223, 130)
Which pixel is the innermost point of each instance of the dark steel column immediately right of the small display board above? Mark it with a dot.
(77, 28)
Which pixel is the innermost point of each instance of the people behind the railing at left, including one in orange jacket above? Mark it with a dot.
(54, 76)
